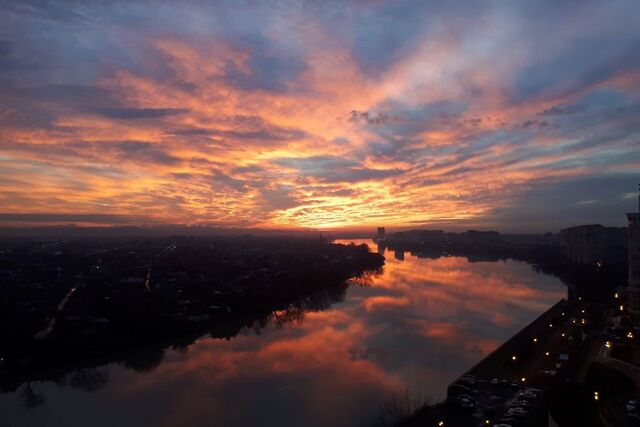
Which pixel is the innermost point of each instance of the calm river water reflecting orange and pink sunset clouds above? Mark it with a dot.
(417, 325)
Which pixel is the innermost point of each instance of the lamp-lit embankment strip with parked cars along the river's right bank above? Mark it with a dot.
(488, 391)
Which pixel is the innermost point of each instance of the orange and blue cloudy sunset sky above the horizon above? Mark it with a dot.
(509, 115)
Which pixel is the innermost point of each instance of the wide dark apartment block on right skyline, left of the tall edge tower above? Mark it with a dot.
(593, 244)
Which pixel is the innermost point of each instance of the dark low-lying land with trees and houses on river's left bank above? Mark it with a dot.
(68, 303)
